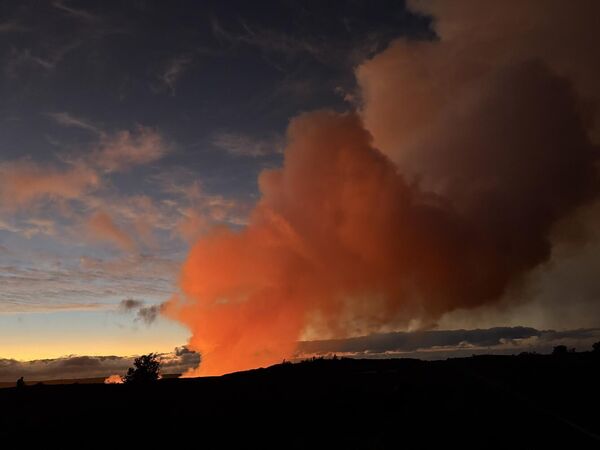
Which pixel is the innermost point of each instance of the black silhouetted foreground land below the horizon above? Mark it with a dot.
(530, 401)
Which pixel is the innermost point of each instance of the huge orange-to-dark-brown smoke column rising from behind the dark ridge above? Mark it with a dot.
(440, 192)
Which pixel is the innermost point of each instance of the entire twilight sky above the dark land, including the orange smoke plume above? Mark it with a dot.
(185, 173)
